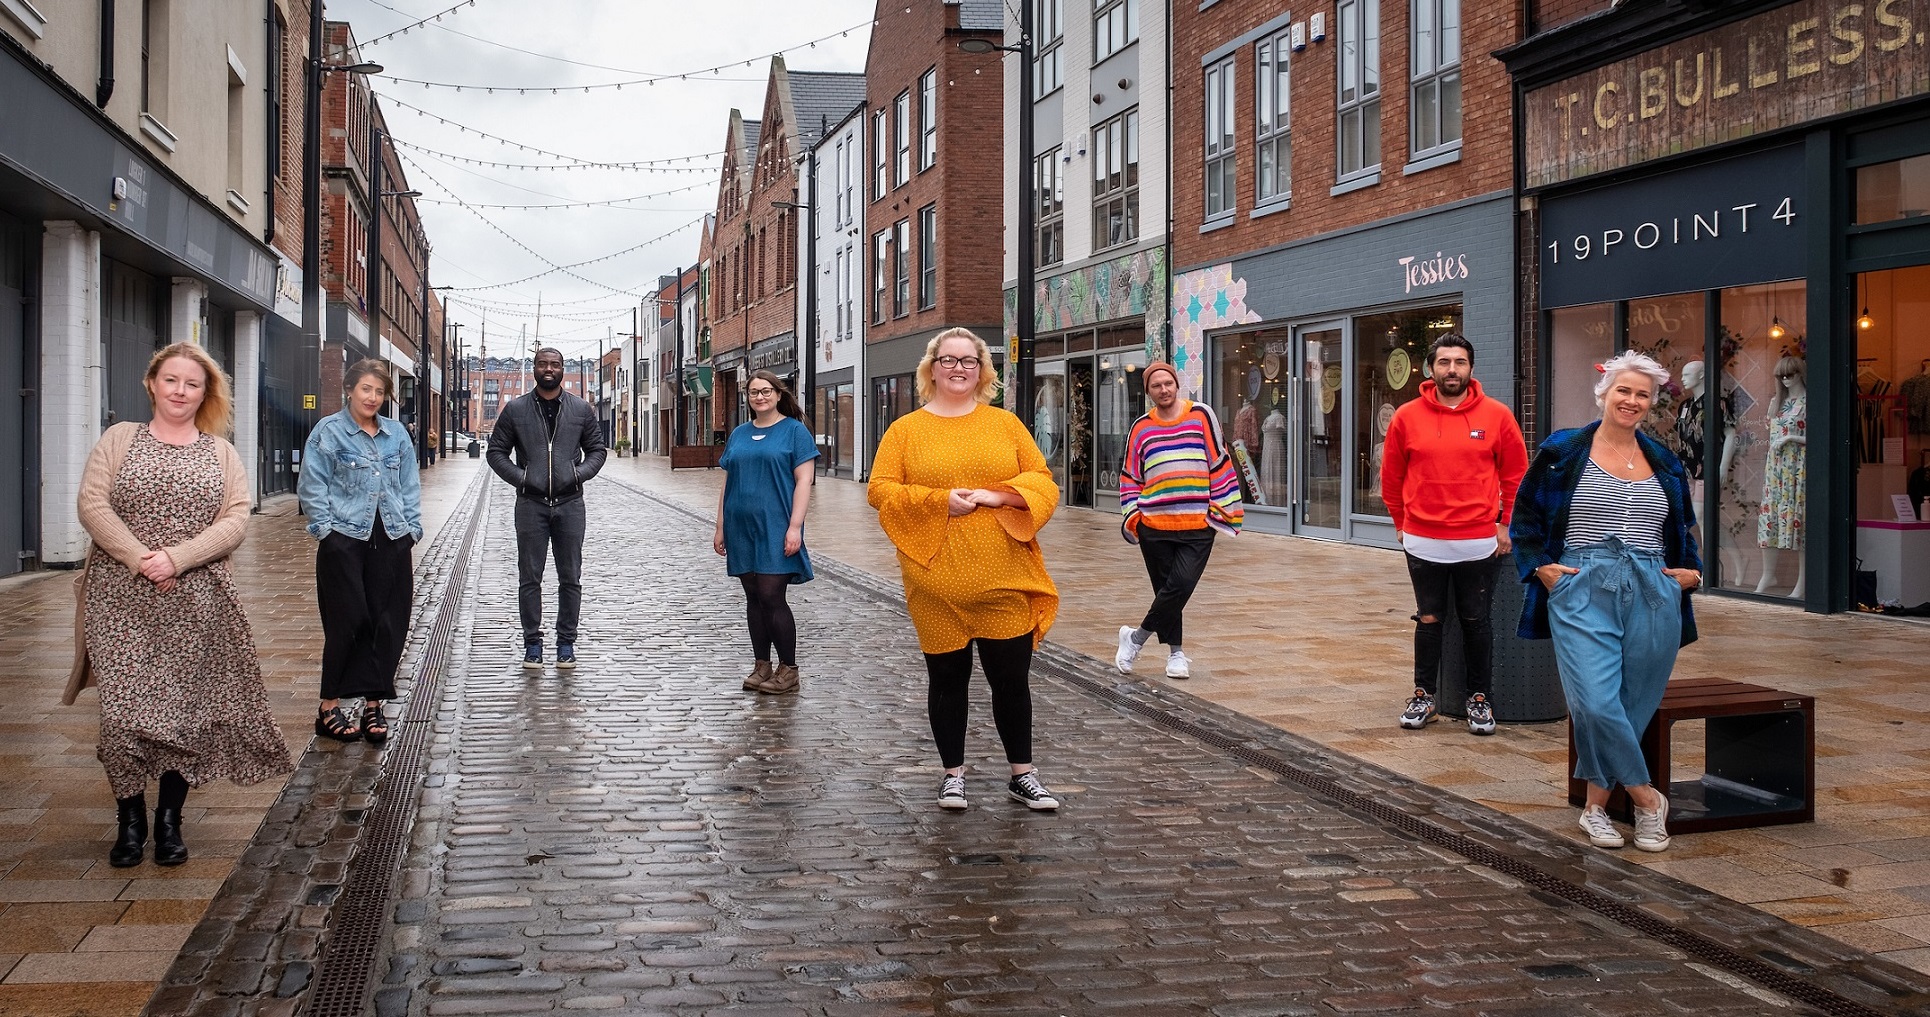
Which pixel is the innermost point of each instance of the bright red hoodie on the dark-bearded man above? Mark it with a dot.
(1450, 472)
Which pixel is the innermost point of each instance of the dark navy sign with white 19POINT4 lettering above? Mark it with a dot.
(1730, 223)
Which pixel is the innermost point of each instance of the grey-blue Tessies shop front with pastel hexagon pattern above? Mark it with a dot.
(1308, 350)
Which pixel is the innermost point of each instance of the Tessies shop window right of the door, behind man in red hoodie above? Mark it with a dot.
(1391, 364)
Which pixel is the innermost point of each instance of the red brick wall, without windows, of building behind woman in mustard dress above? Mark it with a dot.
(966, 182)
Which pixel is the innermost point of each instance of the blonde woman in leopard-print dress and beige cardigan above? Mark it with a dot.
(167, 640)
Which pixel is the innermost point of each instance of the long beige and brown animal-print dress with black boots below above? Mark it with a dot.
(180, 684)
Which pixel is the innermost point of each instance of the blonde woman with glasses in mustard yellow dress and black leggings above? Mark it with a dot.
(962, 491)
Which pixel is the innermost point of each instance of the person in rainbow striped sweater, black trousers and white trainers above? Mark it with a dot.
(1176, 489)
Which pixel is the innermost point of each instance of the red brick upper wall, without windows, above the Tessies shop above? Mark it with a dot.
(1485, 167)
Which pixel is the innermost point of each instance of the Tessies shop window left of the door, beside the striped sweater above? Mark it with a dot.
(1250, 395)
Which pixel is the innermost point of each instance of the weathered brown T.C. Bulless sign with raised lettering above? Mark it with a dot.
(1796, 65)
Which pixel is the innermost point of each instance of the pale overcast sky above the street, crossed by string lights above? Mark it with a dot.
(510, 45)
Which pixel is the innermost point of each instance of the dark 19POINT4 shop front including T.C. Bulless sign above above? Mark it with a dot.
(1782, 281)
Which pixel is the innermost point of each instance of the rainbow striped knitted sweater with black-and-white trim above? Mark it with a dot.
(1178, 476)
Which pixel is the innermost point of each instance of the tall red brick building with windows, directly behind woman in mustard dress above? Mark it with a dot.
(931, 188)
